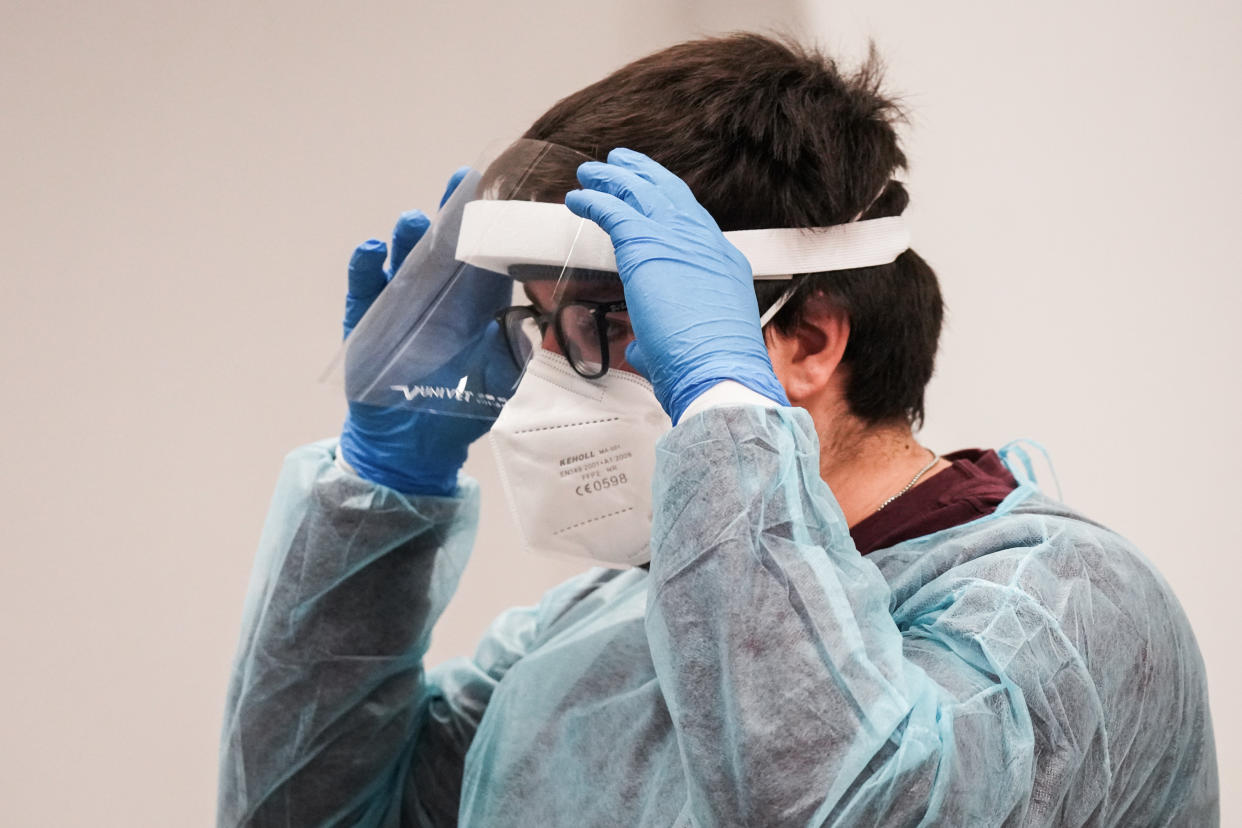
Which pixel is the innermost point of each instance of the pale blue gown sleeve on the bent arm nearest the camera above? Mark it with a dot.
(798, 700)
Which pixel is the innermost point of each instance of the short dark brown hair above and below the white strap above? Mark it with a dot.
(768, 133)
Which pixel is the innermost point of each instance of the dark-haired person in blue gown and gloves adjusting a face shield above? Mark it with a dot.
(832, 624)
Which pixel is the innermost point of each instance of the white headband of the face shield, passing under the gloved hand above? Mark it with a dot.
(497, 235)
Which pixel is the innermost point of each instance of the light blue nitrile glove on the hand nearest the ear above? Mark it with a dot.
(690, 292)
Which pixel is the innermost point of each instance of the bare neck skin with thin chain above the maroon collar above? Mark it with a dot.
(865, 466)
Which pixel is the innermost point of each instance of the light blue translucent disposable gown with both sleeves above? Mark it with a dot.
(1028, 668)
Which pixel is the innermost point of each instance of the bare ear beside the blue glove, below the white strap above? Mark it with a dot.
(809, 358)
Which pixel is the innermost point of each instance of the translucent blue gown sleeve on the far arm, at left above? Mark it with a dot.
(331, 717)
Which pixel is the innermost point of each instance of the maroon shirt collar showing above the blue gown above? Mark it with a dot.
(973, 487)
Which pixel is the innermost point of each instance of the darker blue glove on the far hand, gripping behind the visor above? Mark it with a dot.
(406, 450)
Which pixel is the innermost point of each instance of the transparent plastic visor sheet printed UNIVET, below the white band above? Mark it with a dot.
(453, 338)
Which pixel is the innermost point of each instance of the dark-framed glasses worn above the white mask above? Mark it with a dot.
(592, 335)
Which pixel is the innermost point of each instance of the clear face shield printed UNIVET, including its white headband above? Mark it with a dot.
(506, 270)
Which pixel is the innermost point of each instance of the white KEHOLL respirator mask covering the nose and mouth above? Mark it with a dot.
(577, 460)
